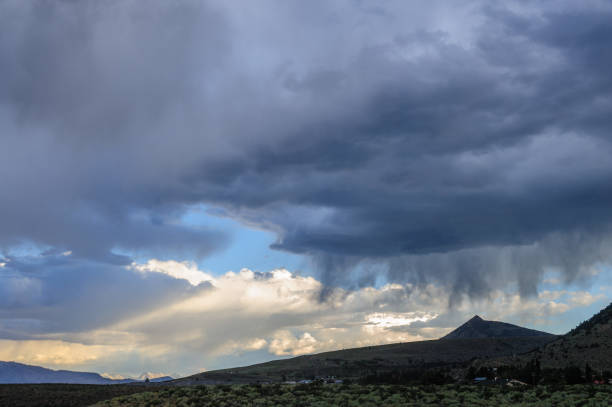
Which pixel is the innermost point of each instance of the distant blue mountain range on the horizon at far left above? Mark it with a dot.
(12, 372)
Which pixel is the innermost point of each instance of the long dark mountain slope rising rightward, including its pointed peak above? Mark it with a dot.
(476, 339)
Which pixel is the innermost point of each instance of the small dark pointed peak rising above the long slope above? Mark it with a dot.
(479, 328)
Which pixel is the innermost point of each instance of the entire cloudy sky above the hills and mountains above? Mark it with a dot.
(193, 185)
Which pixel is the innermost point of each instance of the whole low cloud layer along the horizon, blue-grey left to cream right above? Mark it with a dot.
(209, 322)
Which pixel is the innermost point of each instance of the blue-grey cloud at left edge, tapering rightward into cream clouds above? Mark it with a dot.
(54, 294)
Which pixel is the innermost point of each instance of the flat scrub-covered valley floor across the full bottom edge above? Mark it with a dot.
(38, 395)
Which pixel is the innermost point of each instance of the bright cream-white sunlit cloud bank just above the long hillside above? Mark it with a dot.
(248, 311)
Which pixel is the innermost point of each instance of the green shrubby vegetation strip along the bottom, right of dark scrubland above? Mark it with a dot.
(368, 396)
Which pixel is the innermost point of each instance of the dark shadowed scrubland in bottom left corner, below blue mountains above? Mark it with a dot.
(64, 395)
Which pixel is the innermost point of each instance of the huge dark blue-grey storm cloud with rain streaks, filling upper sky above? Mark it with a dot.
(409, 136)
